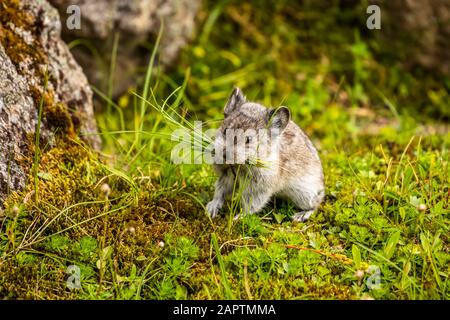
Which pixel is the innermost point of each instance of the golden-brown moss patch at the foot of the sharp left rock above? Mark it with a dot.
(71, 177)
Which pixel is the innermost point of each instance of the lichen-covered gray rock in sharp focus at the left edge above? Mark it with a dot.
(29, 44)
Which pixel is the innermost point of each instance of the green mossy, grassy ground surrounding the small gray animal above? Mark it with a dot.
(134, 224)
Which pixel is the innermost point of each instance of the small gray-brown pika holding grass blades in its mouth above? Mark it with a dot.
(281, 161)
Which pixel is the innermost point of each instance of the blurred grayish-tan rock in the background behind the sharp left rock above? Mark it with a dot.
(137, 22)
